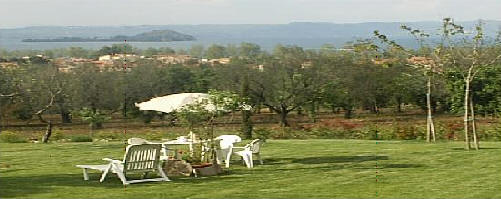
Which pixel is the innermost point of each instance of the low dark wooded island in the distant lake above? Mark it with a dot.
(152, 36)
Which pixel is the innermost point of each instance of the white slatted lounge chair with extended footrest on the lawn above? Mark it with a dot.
(142, 158)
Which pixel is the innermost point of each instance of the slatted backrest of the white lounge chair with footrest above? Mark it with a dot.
(142, 158)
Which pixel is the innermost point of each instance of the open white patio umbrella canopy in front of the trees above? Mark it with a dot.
(170, 103)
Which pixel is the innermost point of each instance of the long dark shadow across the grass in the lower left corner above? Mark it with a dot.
(25, 186)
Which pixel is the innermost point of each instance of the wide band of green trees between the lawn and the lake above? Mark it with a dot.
(460, 74)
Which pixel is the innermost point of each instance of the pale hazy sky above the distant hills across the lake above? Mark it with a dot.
(15, 13)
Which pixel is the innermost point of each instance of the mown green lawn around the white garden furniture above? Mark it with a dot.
(293, 169)
